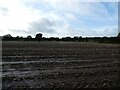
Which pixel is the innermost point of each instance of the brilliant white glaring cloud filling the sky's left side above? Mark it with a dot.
(17, 18)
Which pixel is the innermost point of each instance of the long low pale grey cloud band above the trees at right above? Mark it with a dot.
(94, 33)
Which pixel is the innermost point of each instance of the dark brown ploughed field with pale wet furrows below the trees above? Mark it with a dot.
(60, 65)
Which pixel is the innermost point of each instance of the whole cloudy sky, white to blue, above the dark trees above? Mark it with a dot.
(59, 18)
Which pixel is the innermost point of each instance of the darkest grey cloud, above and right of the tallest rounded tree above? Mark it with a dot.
(43, 25)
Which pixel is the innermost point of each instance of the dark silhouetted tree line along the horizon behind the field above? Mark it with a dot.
(39, 37)
